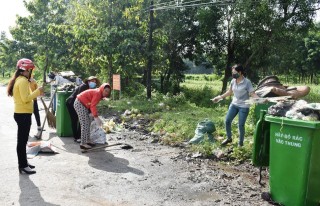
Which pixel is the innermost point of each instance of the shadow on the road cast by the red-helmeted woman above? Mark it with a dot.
(30, 194)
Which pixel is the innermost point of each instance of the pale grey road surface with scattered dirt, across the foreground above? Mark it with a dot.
(148, 174)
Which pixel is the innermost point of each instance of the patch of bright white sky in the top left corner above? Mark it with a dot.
(9, 10)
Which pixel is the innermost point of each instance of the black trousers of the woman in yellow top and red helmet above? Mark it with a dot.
(24, 124)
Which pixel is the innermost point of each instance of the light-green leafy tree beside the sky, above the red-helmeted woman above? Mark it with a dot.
(34, 37)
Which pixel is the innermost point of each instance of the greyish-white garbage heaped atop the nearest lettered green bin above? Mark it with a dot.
(296, 110)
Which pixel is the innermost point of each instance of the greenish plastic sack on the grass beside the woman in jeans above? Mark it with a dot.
(205, 127)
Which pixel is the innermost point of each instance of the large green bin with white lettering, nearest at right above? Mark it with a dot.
(294, 161)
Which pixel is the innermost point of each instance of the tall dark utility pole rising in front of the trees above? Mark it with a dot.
(149, 67)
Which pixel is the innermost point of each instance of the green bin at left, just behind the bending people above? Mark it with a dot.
(63, 121)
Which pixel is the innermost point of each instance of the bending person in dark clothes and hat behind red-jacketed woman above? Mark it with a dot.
(90, 83)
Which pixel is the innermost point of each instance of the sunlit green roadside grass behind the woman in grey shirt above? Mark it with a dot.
(176, 117)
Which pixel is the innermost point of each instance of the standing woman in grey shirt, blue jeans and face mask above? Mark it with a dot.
(242, 89)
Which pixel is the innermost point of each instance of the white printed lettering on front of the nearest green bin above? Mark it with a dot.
(288, 139)
